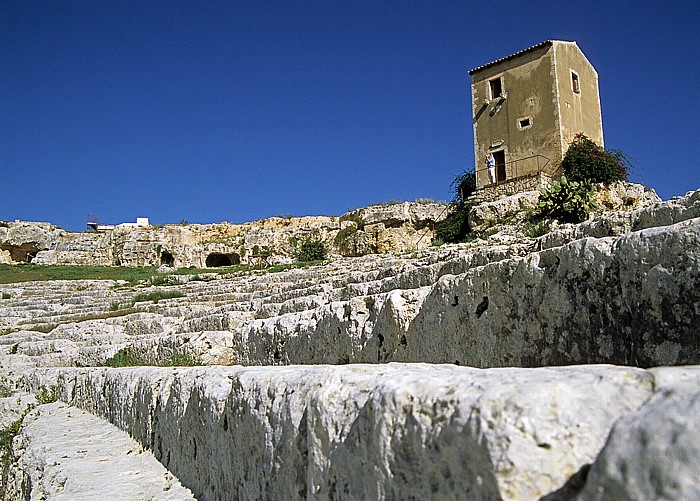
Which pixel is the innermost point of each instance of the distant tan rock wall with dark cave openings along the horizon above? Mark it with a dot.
(377, 229)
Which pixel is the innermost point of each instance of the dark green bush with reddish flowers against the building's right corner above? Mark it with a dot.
(586, 161)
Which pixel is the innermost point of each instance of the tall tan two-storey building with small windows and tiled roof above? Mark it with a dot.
(526, 109)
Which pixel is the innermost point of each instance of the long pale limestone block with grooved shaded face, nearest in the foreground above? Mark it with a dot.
(363, 431)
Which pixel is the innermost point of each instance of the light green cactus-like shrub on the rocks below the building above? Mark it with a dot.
(567, 201)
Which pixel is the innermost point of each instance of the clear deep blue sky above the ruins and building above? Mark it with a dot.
(243, 109)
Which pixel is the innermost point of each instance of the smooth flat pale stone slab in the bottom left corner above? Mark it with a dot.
(66, 453)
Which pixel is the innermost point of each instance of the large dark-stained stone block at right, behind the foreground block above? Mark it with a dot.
(630, 300)
